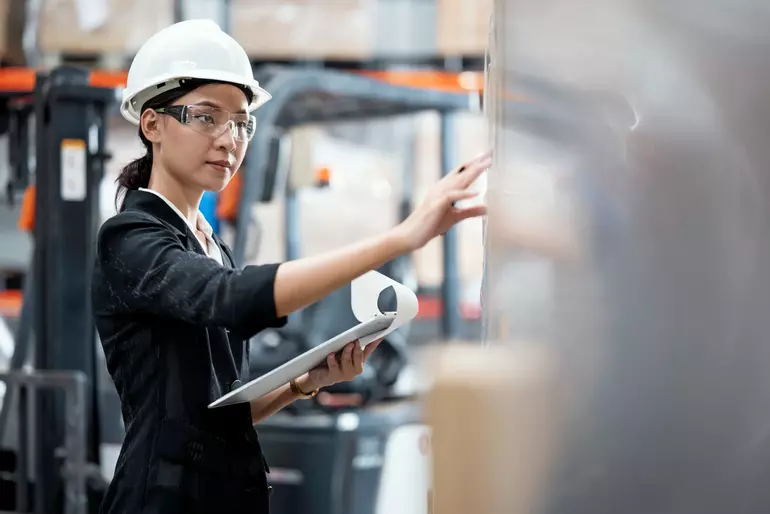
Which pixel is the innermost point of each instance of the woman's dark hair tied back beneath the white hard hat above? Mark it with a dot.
(137, 173)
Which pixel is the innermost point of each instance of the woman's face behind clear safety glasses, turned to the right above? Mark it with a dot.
(194, 154)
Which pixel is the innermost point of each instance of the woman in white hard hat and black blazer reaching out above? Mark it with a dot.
(175, 316)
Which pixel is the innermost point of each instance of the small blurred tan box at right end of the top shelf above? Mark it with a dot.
(463, 26)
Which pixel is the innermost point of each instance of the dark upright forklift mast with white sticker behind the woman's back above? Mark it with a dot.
(61, 413)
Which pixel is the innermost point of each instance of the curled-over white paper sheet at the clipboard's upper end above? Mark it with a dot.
(364, 297)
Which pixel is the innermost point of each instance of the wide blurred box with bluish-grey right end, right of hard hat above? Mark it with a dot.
(334, 30)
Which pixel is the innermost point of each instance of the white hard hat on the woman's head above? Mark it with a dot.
(193, 49)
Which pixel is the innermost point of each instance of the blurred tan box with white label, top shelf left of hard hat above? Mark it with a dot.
(113, 26)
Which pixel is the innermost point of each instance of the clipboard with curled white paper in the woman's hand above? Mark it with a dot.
(374, 325)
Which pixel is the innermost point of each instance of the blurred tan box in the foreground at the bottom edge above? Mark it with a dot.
(493, 413)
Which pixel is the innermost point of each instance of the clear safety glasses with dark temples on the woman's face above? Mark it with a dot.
(212, 121)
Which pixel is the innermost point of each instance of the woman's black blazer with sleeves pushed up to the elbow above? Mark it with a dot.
(175, 326)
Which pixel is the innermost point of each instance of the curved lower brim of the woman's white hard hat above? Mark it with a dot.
(135, 98)
